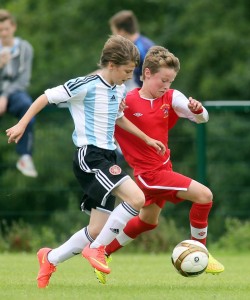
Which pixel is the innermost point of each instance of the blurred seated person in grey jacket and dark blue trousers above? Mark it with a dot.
(16, 57)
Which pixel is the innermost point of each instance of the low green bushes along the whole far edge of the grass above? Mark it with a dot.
(22, 237)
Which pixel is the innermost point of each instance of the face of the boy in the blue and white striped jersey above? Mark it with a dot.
(120, 74)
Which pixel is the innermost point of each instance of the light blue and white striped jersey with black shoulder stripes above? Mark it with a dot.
(94, 107)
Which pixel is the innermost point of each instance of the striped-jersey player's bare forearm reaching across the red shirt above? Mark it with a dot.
(125, 124)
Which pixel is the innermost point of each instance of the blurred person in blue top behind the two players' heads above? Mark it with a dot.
(125, 23)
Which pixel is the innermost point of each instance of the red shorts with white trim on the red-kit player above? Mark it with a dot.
(161, 185)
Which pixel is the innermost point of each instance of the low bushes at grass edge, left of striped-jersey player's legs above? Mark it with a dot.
(20, 236)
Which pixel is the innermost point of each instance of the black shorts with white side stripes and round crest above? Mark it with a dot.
(98, 174)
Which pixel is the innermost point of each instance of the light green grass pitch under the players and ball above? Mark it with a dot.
(133, 277)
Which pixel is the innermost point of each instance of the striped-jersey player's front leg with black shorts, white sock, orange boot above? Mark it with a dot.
(109, 178)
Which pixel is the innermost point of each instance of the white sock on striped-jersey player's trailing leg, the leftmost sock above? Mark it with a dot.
(71, 247)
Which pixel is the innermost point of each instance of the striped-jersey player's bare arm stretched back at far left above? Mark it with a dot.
(16, 132)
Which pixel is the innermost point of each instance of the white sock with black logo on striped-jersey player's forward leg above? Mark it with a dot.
(115, 224)
